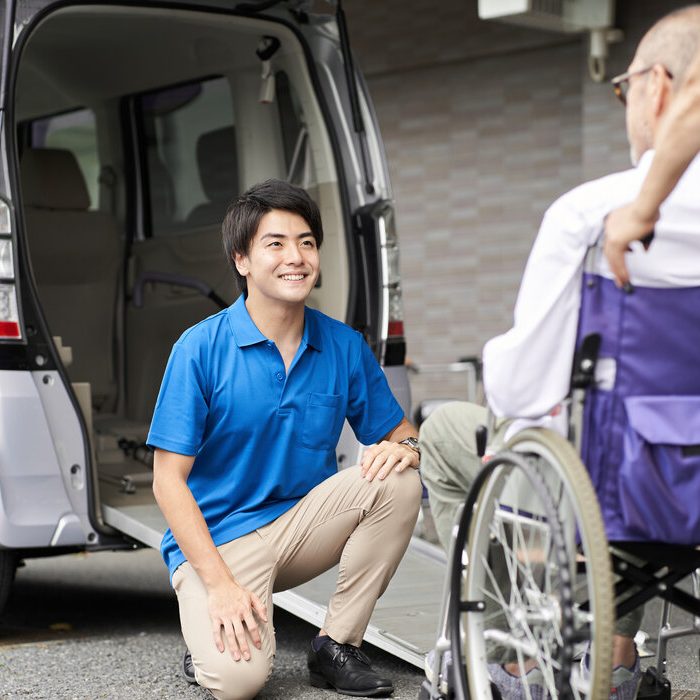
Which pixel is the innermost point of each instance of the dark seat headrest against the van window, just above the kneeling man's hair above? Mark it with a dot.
(218, 169)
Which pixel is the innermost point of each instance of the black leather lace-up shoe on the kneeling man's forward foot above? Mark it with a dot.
(345, 668)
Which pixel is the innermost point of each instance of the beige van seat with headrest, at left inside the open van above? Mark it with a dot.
(76, 256)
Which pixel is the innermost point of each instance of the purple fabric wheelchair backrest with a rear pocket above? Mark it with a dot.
(641, 438)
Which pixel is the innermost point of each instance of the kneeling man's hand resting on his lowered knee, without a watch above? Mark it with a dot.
(233, 611)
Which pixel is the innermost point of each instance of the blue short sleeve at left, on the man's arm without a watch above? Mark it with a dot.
(182, 407)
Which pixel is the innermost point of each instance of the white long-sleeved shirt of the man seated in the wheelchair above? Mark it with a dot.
(527, 371)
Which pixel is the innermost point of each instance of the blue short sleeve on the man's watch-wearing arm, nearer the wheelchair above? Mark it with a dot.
(372, 409)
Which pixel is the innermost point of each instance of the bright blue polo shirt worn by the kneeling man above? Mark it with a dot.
(263, 437)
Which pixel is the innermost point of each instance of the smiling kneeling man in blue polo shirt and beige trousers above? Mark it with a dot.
(245, 428)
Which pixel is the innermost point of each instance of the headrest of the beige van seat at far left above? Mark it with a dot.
(51, 179)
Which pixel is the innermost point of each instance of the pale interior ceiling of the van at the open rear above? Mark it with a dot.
(87, 55)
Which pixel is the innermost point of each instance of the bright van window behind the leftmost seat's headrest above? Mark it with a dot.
(76, 132)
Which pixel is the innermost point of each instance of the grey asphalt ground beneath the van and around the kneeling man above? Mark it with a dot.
(105, 625)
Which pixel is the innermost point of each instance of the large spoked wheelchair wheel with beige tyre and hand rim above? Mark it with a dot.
(535, 587)
